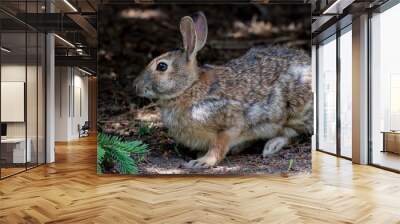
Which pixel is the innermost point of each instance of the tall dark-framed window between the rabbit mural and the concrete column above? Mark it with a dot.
(334, 106)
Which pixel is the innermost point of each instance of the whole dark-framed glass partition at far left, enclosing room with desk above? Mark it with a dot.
(22, 77)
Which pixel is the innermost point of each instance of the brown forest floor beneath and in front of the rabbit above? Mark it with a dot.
(165, 156)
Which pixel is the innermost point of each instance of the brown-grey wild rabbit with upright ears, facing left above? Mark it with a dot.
(265, 94)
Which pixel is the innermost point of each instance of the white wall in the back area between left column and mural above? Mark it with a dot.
(70, 83)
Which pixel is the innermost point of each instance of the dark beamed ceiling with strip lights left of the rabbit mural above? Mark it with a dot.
(74, 22)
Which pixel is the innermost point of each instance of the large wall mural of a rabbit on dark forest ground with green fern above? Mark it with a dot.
(204, 89)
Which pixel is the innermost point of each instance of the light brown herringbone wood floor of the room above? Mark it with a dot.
(69, 191)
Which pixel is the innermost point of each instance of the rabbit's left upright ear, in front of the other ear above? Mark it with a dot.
(188, 32)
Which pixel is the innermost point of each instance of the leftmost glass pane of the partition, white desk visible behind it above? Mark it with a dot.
(14, 153)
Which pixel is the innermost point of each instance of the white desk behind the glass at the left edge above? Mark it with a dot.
(16, 148)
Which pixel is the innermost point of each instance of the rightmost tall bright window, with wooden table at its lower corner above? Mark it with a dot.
(385, 89)
